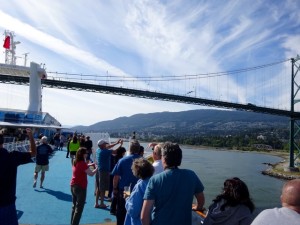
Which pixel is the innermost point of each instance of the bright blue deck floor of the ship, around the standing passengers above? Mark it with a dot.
(52, 204)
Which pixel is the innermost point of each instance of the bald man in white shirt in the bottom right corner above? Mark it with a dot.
(289, 213)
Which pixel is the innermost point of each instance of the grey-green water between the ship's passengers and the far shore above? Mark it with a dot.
(215, 166)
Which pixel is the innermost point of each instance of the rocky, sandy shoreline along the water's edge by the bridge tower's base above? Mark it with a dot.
(277, 170)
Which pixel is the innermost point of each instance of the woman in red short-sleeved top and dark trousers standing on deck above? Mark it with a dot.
(80, 171)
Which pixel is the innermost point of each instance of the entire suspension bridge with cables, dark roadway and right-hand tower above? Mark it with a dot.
(270, 89)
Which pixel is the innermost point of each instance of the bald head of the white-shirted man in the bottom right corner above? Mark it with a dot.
(290, 196)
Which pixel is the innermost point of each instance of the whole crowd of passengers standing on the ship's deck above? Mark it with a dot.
(160, 192)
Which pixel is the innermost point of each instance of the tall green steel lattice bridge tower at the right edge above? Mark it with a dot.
(295, 122)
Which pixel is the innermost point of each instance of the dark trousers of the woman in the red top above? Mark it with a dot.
(78, 198)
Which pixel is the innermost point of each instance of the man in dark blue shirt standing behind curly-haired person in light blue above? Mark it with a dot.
(123, 176)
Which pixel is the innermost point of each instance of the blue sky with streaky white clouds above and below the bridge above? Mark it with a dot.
(146, 38)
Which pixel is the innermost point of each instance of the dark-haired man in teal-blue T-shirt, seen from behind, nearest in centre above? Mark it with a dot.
(169, 194)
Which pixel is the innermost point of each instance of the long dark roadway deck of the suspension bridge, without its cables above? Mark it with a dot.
(48, 83)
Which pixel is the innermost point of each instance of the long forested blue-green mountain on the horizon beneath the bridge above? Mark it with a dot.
(204, 121)
